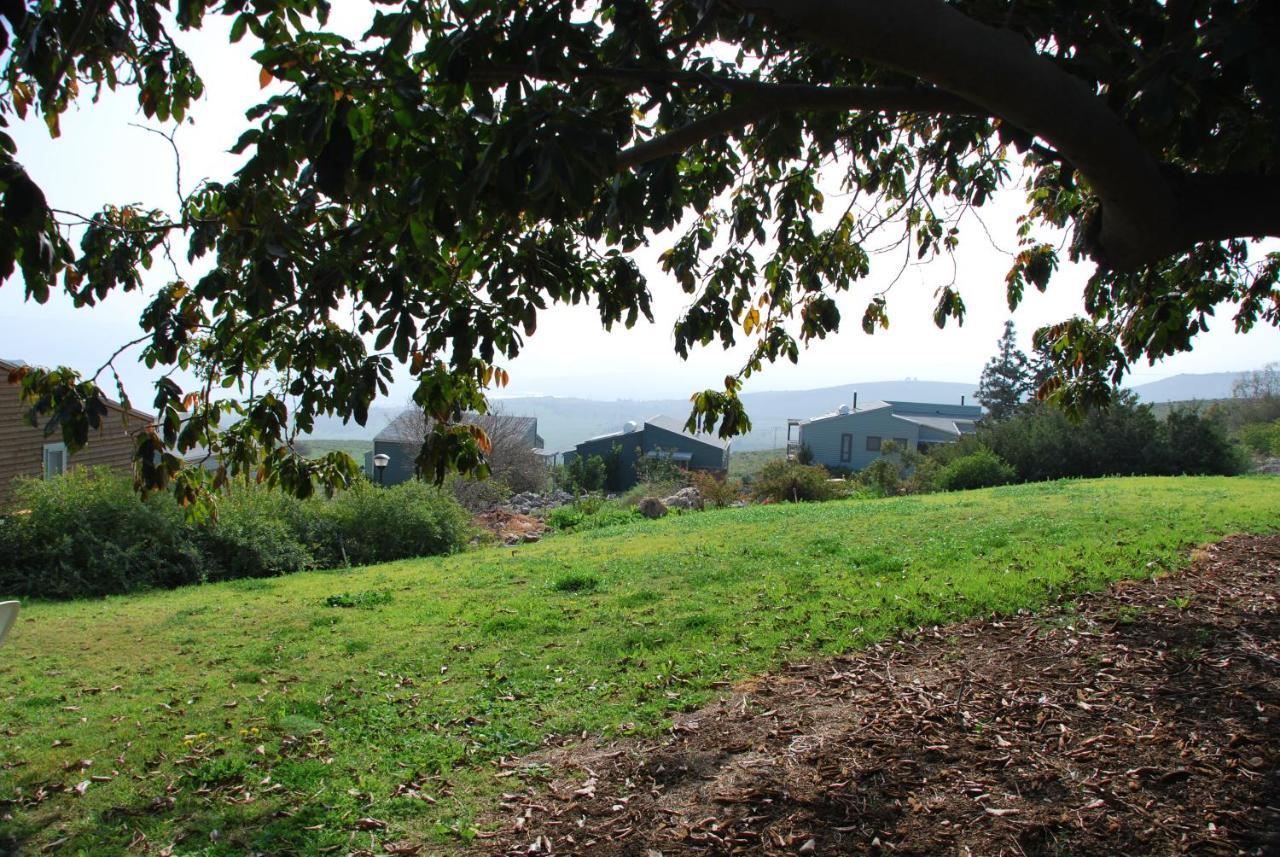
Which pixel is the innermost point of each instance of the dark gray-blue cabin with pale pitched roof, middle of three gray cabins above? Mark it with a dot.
(655, 438)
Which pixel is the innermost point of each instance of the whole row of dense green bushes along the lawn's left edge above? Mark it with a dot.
(89, 534)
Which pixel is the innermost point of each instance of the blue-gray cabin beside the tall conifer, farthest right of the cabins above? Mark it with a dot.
(852, 438)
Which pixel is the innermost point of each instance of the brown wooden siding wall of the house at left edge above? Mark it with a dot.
(22, 447)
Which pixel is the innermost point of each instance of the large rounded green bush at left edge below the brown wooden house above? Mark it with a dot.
(88, 533)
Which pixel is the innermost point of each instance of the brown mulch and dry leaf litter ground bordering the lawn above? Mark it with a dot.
(1145, 721)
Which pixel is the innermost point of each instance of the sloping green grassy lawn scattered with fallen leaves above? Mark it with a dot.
(287, 716)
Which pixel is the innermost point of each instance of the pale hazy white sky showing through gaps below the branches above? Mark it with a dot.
(103, 159)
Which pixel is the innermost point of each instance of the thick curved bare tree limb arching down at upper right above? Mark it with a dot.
(1003, 74)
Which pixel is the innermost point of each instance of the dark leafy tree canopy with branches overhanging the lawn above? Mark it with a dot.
(438, 184)
